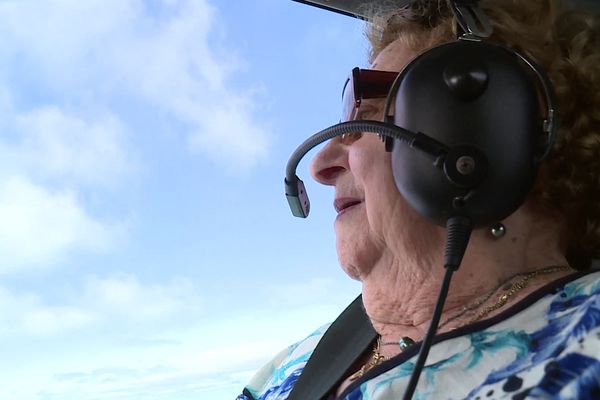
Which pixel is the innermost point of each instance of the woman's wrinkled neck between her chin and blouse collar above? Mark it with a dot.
(400, 292)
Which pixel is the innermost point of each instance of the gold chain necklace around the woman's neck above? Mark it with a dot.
(377, 358)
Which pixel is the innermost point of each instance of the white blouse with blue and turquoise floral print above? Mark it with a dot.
(547, 346)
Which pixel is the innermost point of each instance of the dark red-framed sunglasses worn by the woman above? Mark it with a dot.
(364, 84)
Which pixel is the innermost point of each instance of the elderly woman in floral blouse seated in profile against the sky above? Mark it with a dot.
(522, 316)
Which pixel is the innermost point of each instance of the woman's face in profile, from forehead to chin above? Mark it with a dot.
(373, 220)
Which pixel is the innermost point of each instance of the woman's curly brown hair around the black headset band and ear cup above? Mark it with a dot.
(566, 44)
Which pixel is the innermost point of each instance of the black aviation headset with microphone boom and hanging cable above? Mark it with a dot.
(472, 121)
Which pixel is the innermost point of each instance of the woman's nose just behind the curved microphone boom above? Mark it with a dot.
(330, 162)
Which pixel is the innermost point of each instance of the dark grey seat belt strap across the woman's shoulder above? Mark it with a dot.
(339, 348)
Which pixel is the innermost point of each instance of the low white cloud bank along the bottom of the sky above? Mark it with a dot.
(204, 357)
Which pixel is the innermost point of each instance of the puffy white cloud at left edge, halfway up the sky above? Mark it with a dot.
(49, 156)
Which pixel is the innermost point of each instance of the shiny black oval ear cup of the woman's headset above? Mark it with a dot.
(472, 95)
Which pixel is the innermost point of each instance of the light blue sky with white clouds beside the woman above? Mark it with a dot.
(146, 247)
